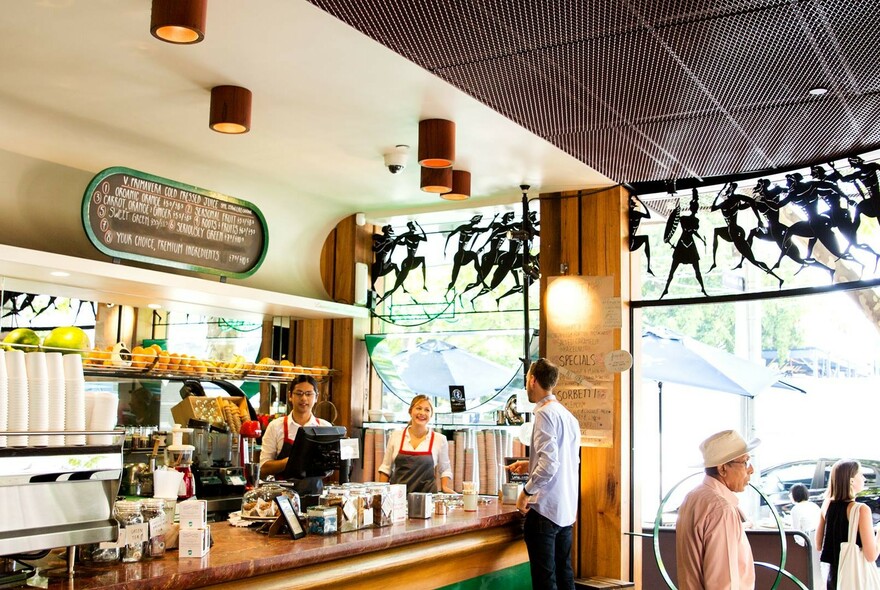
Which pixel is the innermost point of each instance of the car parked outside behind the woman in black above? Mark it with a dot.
(776, 481)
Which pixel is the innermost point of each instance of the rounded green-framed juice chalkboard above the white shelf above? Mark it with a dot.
(137, 216)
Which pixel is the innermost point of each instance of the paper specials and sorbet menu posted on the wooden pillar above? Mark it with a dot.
(579, 336)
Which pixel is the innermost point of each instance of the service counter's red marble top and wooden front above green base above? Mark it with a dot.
(428, 553)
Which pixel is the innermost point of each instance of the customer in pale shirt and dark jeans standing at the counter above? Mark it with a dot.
(549, 498)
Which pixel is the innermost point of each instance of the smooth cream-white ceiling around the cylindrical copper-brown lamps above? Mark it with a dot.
(84, 84)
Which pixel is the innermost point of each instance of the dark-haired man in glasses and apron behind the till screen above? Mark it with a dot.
(279, 435)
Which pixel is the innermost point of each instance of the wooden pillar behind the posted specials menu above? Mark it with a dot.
(588, 232)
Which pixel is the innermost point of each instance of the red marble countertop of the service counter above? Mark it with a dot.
(242, 552)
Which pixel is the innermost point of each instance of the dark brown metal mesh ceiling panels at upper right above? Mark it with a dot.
(649, 91)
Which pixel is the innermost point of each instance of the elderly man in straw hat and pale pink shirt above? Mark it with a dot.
(712, 552)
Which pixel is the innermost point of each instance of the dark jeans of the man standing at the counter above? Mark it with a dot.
(549, 547)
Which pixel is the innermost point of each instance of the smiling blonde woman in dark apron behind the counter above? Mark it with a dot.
(414, 452)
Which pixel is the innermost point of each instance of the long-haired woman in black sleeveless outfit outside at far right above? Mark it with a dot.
(846, 481)
